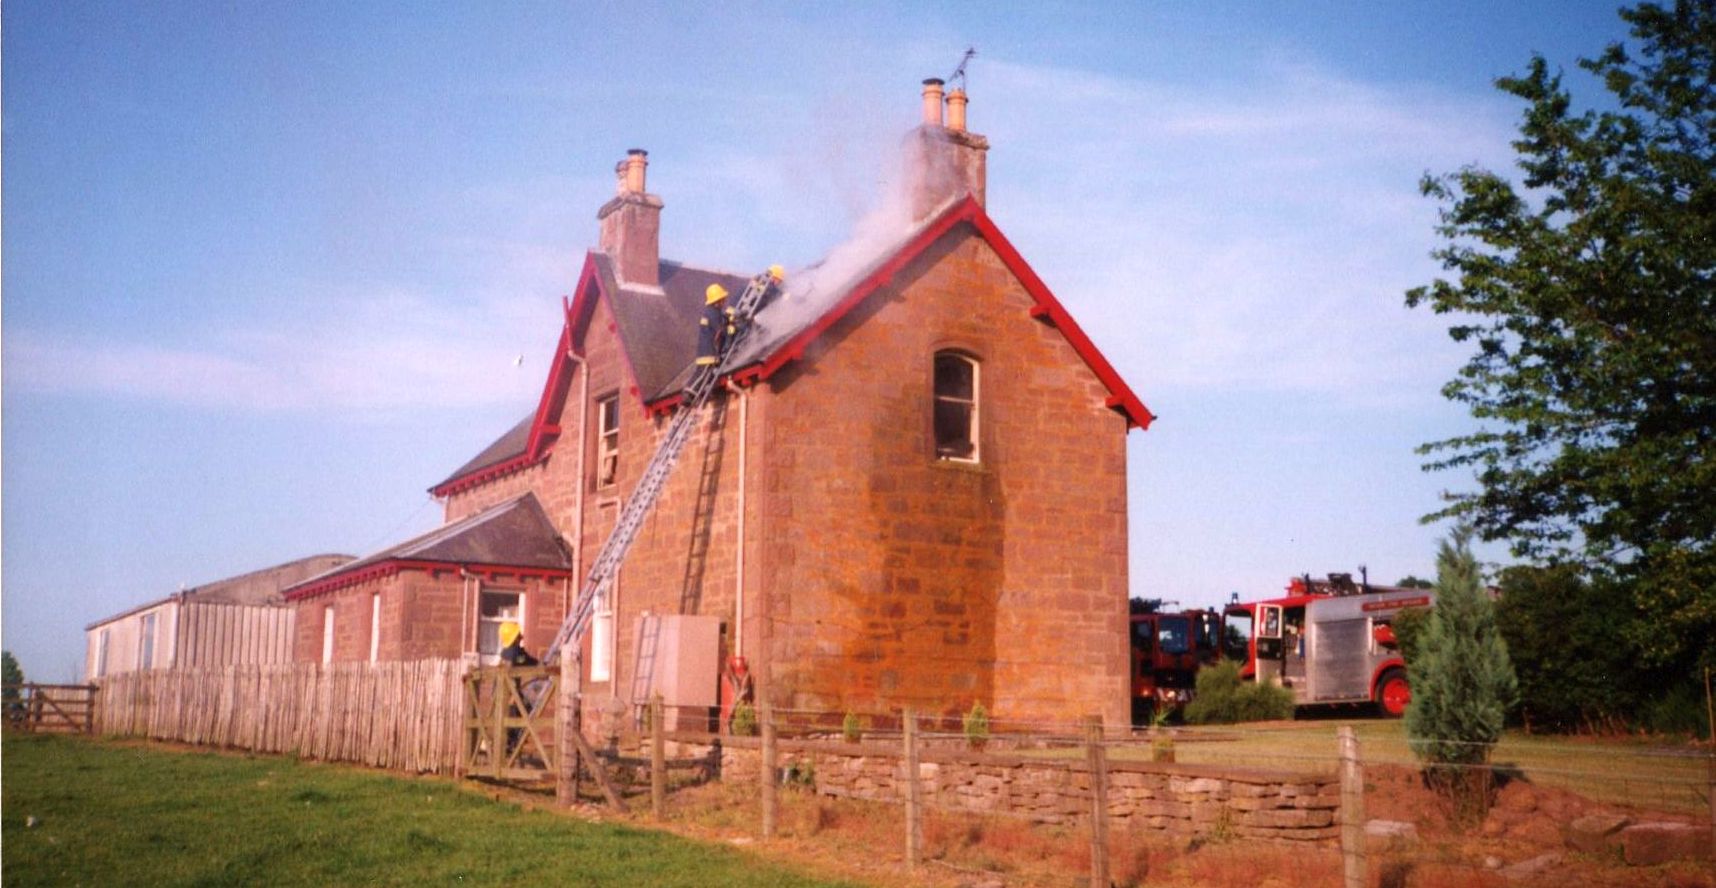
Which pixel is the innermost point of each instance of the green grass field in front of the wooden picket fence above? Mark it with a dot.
(130, 815)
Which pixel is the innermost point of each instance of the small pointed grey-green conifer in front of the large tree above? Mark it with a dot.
(1463, 684)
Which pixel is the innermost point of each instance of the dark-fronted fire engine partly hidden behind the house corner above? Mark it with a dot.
(1168, 650)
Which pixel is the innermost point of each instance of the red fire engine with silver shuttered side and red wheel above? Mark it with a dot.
(1329, 642)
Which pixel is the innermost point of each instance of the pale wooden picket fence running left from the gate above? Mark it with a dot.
(404, 717)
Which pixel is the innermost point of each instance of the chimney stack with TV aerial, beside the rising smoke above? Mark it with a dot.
(945, 161)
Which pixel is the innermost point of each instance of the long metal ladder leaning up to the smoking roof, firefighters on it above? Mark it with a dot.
(643, 499)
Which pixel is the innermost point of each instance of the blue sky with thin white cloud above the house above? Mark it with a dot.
(269, 269)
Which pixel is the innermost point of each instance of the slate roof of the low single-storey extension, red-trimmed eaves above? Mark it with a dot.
(516, 533)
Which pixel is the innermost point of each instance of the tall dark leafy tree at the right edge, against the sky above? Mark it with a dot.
(1590, 296)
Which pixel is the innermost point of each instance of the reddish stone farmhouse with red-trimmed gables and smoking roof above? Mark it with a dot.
(910, 490)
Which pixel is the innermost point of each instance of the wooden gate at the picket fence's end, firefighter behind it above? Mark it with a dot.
(511, 722)
